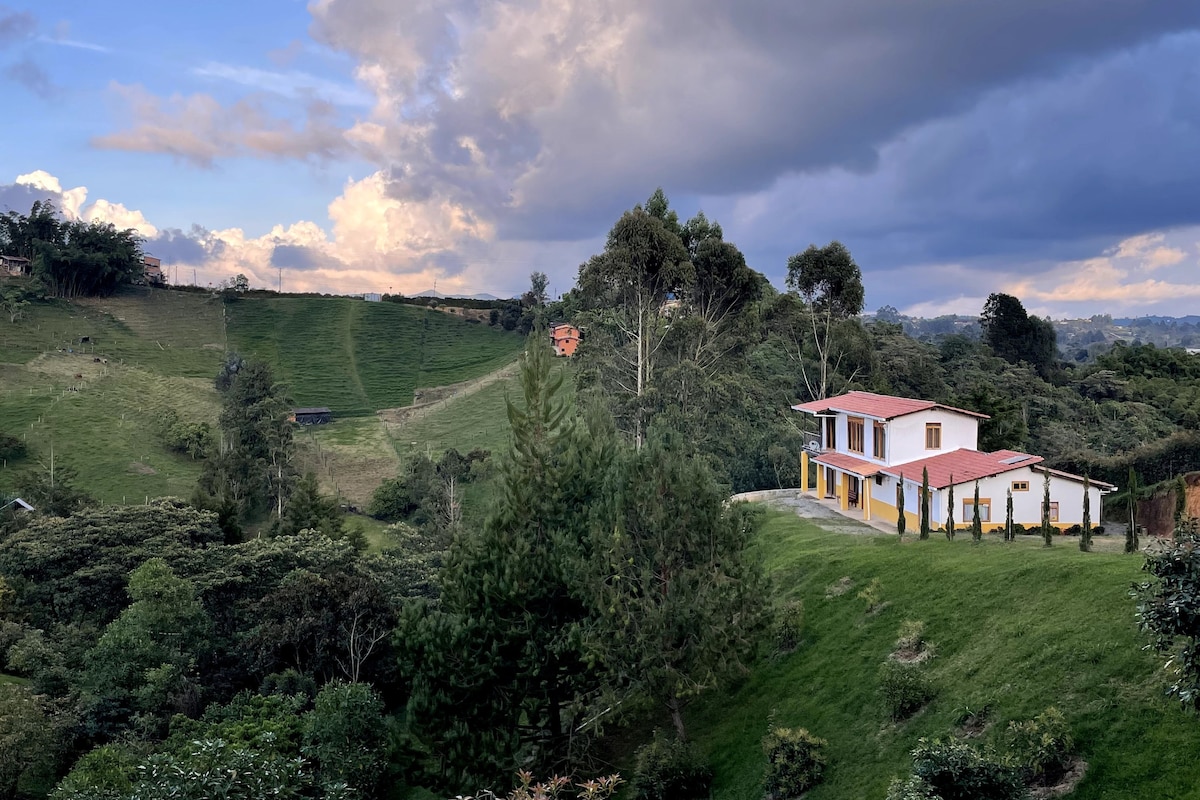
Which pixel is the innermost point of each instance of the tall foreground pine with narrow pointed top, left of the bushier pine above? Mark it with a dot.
(500, 667)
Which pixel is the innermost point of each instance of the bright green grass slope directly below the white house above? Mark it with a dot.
(1016, 627)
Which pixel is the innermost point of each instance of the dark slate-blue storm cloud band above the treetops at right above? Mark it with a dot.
(1047, 171)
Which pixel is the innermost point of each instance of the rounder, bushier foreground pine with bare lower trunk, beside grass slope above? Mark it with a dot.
(680, 600)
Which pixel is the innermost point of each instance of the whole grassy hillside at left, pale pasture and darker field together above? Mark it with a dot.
(92, 377)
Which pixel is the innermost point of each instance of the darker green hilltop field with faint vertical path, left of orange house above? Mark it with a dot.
(358, 357)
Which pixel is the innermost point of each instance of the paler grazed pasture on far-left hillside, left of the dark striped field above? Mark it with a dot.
(160, 352)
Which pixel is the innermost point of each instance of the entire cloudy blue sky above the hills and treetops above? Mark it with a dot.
(1051, 151)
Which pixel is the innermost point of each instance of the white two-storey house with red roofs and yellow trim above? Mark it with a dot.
(867, 446)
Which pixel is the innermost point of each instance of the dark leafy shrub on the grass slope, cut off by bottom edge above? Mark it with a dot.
(955, 771)
